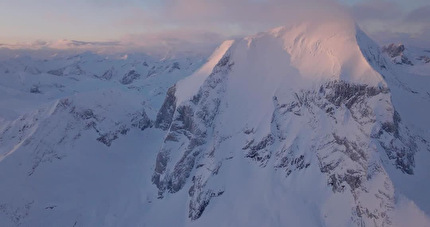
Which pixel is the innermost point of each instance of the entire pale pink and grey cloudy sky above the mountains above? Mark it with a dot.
(194, 24)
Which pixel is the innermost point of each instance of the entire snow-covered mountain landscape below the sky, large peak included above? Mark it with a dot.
(310, 125)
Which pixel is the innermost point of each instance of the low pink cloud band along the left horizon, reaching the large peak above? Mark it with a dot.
(172, 42)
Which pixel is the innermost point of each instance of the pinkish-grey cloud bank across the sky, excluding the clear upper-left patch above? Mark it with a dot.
(167, 26)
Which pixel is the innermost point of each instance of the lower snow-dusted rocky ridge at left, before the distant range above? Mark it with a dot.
(65, 123)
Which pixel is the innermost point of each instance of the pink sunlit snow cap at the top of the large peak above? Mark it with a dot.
(331, 50)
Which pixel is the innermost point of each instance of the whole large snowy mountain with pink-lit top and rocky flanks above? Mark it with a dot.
(297, 120)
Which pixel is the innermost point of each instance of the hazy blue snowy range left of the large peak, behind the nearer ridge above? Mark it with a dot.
(27, 83)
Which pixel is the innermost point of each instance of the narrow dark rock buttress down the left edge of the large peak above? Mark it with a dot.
(192, 123)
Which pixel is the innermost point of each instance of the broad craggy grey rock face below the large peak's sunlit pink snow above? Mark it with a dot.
(348, 160)
